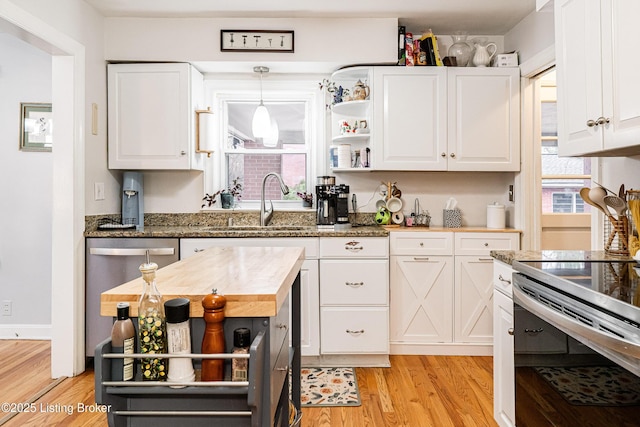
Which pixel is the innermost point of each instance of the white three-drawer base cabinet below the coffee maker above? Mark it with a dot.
(354, 295)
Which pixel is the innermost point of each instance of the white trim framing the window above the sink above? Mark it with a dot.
(276, 88)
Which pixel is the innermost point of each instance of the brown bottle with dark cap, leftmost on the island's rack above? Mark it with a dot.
(123, 339)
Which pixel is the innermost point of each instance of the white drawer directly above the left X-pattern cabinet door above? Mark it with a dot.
(421, 243)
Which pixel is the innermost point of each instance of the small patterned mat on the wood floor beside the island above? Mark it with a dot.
(329, 387)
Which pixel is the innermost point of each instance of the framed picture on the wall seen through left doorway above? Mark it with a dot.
(36, 126)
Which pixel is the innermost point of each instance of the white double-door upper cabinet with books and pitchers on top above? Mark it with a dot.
(446, 119)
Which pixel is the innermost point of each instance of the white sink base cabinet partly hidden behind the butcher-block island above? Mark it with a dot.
(309, 282)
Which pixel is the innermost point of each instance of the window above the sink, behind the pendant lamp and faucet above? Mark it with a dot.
(294, 107)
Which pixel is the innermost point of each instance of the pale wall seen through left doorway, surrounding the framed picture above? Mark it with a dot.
(25, 186)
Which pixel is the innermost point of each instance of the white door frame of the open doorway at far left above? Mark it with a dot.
(67, 284)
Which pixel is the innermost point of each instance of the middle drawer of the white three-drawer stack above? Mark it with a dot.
(349, 282)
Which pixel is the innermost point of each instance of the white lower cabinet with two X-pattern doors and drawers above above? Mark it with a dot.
(441, 291)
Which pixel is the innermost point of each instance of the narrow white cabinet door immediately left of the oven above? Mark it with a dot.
(504, 410)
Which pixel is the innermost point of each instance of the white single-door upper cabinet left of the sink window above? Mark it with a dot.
(152, 116)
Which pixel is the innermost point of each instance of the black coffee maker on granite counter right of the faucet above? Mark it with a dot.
(332, 210)
